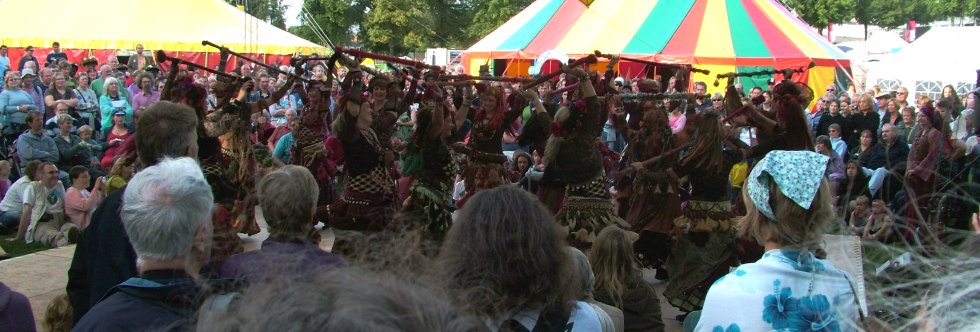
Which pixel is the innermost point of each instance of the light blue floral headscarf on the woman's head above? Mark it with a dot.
(797, 173)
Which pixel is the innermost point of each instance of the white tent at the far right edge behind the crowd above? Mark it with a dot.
(944, 55)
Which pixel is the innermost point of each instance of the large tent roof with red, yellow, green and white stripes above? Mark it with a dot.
(717, 35)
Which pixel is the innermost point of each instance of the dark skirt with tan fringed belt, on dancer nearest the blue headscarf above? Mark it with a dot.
(701, 256)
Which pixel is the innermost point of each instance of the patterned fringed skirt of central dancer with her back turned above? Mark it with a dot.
(586, 211)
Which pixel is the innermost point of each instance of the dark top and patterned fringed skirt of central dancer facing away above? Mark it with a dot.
(578, 165)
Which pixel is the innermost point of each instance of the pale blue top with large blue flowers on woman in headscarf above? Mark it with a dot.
(783, 291)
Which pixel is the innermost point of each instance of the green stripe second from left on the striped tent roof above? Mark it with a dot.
(659, 27)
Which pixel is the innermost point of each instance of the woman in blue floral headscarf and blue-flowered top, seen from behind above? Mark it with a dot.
(789, 205)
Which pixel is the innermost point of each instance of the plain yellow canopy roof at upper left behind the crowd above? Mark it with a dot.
(171, 25)
